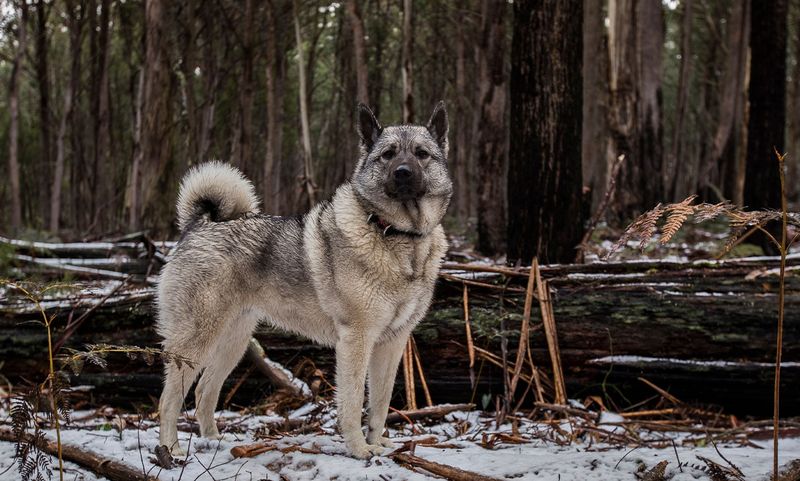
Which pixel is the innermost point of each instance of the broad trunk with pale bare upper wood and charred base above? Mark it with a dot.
(635, 103)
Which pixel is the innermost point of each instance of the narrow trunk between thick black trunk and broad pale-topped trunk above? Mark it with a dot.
(595, 92)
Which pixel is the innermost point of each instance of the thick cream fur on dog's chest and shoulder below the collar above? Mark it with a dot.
(360, 276)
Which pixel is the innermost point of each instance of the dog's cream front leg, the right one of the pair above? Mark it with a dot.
(382, 372)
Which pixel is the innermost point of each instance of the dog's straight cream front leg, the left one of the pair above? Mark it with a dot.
(353, 351)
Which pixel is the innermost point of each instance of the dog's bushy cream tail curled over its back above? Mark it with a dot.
(215, 191)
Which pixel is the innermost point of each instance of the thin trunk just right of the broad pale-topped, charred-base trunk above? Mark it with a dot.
(684, 167)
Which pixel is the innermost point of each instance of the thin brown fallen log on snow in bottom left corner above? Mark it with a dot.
(96, 463)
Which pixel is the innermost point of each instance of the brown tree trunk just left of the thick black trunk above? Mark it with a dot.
(491, 139)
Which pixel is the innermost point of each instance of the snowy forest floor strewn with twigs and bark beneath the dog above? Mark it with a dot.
(471, 441)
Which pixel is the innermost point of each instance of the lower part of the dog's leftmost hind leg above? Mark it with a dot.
(176, 385)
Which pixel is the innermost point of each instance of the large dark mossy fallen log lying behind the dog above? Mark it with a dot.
(661, 315)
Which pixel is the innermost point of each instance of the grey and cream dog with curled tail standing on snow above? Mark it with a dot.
(356, 273)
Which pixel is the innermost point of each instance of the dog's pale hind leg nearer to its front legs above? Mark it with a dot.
(225, 356)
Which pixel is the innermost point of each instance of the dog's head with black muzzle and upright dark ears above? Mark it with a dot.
(402, 172)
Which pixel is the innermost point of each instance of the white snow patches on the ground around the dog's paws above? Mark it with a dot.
(462, 437)
